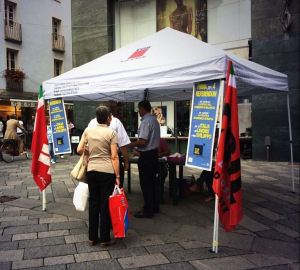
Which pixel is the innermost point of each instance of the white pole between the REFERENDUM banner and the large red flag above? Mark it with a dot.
(215, 243)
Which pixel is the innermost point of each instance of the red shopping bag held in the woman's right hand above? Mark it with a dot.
(118, 208)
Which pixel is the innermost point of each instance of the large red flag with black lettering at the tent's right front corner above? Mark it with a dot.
(227, 177)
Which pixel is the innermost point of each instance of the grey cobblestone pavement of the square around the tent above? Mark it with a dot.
(179, 237)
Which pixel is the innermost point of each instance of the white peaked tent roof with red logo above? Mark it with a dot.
(166, 63)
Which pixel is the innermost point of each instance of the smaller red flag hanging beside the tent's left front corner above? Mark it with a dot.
(40, 165)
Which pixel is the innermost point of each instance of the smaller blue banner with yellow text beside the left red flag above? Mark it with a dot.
(59, 125)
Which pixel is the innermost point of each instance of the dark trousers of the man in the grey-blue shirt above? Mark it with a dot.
(148, 168)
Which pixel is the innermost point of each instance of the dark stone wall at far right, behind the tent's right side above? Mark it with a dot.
(279, 50)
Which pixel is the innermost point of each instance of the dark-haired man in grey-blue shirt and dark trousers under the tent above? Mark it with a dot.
(148, 145)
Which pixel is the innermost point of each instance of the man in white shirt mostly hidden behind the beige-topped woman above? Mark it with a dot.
(123, 141)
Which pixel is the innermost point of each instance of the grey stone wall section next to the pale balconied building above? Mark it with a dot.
(92, 35)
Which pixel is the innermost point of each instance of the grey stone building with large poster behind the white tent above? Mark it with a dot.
(241, 27)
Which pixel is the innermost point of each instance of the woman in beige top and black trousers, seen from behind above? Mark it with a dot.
(100, 144)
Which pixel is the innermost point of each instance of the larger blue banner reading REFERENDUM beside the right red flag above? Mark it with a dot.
(203, 119)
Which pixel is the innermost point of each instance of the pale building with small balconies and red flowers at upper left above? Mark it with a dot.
(35, 45)
